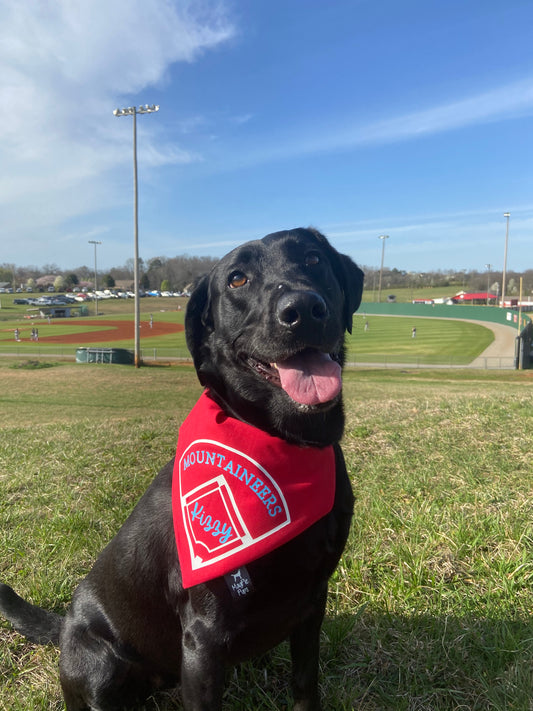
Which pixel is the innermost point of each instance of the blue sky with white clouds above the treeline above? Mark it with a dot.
(361, 117)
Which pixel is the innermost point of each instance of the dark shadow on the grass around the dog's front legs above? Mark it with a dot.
(389, 662)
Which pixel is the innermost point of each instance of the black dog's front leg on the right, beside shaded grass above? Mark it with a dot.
(305, 652)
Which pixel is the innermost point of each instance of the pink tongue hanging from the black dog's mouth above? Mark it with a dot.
(310, 378)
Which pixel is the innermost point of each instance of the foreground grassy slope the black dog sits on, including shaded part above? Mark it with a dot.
(430, 608)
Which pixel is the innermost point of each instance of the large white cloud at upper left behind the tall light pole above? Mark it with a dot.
(65, 66)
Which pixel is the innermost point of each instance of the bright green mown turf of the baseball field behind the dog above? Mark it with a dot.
(388, 339)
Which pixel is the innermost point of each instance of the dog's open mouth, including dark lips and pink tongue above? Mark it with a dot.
(309, 378)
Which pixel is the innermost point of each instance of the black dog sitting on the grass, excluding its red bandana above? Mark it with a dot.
(266, 330)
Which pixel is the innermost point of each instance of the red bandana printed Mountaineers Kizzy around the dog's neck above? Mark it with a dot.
(239, 493)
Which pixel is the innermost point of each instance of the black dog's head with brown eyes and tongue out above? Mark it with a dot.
(266, 332)
